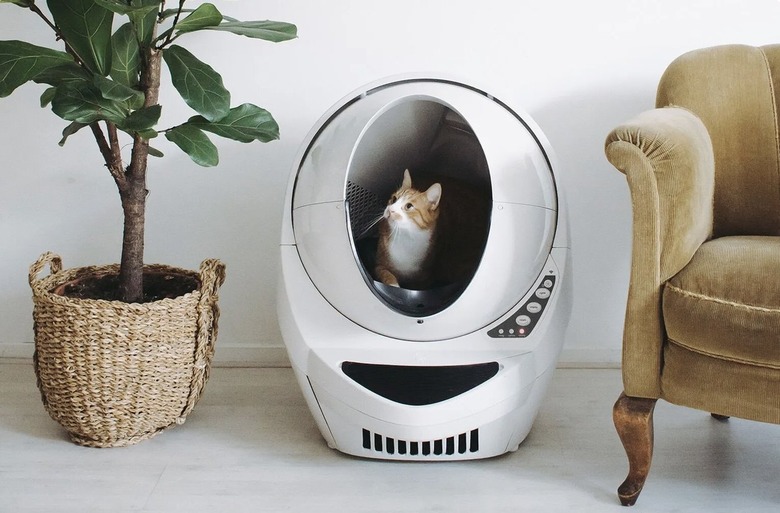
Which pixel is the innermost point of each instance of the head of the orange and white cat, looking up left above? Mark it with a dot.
(409, 208)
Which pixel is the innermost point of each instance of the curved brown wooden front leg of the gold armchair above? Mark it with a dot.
(633, 417)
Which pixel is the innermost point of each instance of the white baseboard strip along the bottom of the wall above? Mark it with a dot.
(276, 356)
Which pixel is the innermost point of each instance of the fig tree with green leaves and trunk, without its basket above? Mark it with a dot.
(107, 79)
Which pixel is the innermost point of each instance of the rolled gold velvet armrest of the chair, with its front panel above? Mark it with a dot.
(666, 155)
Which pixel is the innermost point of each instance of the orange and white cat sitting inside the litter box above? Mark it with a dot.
(431, 235)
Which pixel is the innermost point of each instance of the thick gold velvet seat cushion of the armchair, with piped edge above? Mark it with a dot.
(726, 302)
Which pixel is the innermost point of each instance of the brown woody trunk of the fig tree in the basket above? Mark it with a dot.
(133, 194)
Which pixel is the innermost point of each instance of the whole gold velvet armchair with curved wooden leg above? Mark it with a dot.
(702, 324)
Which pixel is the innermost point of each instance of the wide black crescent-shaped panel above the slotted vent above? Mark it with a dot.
(419, 385)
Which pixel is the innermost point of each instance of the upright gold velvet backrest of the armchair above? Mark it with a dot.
(734, 90)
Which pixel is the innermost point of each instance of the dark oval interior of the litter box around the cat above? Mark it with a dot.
(423, 136)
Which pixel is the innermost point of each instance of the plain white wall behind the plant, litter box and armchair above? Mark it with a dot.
(578, 67)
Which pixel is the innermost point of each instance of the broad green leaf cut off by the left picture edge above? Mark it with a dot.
(21, 62)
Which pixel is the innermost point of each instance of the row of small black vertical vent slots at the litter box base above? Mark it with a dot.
(463, 443)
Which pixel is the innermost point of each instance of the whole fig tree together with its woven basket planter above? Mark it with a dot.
(123, 351)
